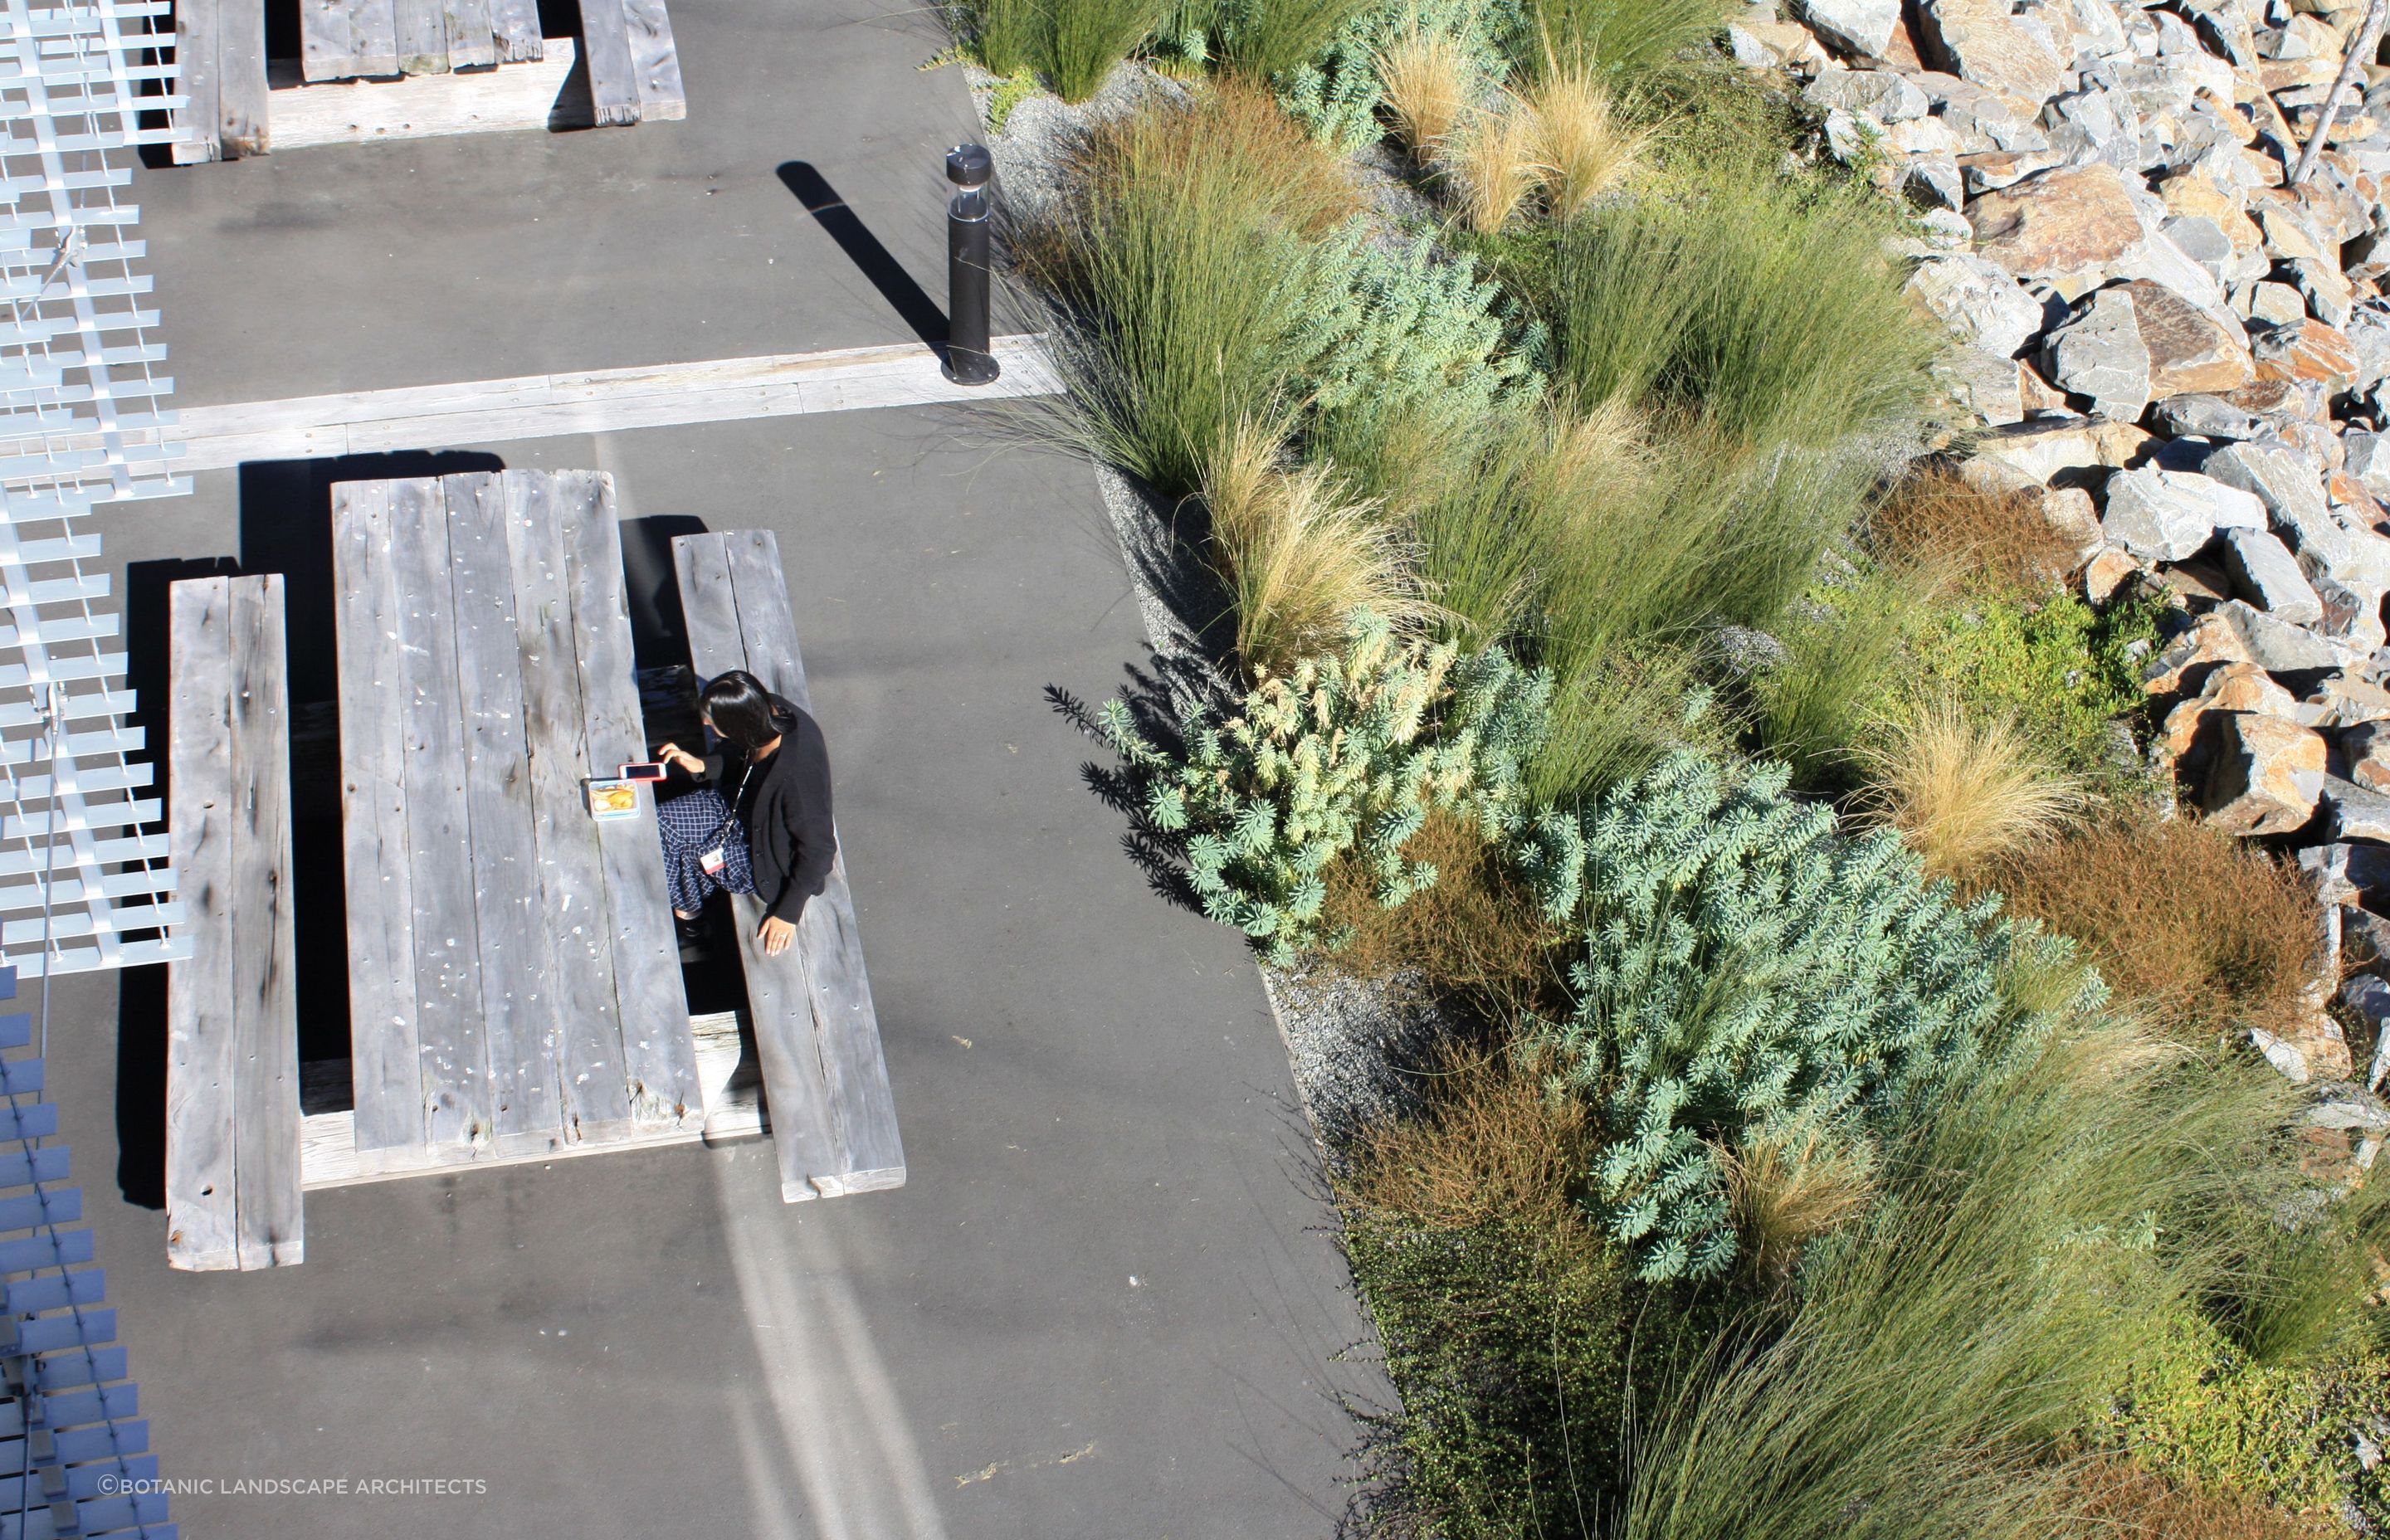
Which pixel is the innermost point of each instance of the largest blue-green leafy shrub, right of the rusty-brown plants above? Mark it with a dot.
(1751, 965)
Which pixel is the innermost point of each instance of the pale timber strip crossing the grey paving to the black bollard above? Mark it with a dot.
(606, 401)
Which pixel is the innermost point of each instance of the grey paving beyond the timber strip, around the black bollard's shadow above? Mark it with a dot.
(508, 255)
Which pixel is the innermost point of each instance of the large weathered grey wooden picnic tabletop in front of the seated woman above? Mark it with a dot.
(515, 979)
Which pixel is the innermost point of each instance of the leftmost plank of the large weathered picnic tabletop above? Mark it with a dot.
(386, 1056)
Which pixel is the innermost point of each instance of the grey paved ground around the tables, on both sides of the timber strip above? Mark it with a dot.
(1108, 1302)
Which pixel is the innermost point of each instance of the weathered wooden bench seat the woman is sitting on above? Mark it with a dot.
(823, 1075)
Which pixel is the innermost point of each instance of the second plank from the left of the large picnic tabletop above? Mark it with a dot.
(439, 829)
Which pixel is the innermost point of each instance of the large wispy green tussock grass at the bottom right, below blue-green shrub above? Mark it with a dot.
(2030, 1240)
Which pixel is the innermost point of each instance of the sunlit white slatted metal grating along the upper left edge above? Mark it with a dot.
(85, 881)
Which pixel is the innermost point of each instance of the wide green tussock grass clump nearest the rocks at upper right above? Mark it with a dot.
(1765, 307)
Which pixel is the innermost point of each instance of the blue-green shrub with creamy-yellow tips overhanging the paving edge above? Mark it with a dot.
(1342, 754)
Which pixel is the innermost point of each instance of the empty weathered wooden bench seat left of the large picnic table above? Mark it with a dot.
(233, 1022)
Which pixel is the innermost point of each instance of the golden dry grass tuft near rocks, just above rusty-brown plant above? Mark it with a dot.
(1966, 788)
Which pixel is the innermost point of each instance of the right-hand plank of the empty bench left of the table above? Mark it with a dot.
(266, 1010)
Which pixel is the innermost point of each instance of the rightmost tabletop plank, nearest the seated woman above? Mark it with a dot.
(658, 1053)
